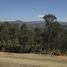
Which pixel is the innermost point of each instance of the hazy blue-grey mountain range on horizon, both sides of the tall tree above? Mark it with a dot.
(34, 23)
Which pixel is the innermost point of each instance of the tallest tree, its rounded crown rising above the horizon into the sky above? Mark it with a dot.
(49, 19)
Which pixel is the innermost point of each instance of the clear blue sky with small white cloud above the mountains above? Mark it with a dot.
(32, 10)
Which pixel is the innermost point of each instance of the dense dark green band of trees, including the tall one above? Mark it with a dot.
(22, 39)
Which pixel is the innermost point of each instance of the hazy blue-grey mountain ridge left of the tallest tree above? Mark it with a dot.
(29, 23)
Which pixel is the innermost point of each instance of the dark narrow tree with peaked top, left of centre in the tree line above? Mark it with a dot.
(23, 37)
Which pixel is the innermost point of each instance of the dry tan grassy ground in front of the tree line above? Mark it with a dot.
(31, 60)
